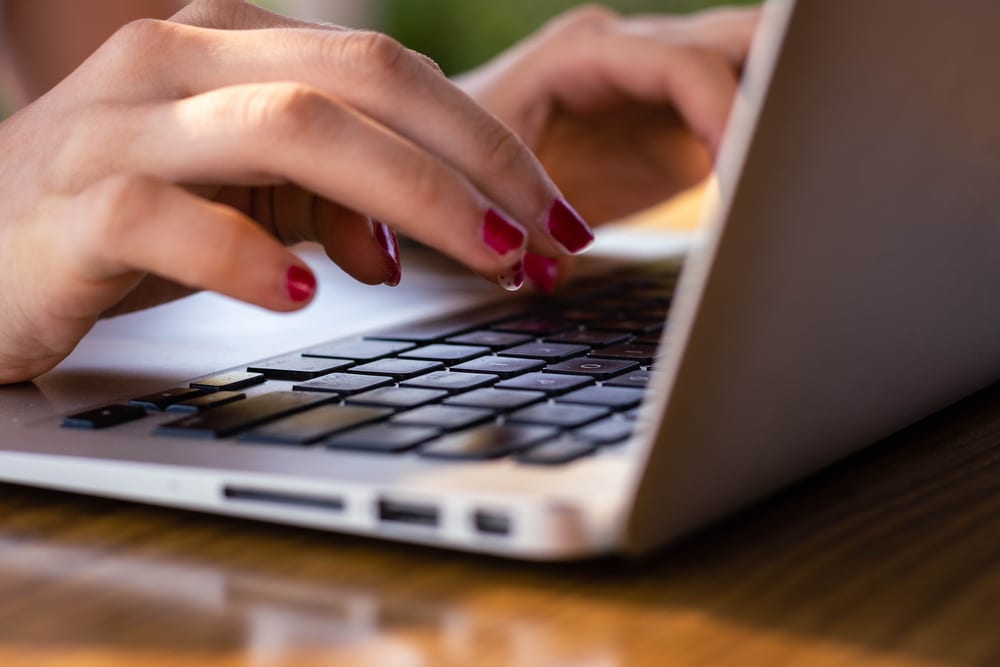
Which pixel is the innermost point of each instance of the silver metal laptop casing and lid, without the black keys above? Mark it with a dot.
(842, 289)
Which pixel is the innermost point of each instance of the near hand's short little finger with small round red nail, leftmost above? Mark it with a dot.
(132, 224)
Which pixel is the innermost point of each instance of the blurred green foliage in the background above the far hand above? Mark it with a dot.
(460, 34)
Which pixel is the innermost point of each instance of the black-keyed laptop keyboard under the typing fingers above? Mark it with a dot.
(557, 380)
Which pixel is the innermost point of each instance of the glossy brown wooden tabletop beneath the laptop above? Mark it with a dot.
(890, 555)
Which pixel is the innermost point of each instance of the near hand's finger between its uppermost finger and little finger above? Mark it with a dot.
(276, 133)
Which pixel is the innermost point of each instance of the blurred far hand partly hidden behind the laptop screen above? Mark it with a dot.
(623, 112)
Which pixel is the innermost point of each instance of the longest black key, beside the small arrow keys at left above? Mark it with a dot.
(243, 415)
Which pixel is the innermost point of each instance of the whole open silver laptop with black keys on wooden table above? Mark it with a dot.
(842, 288)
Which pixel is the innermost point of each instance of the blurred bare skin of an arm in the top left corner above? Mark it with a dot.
(45, 41)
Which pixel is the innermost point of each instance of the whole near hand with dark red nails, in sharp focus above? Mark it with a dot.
(185, 154)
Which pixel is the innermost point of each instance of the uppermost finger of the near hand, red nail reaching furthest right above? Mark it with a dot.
(372, 73)
